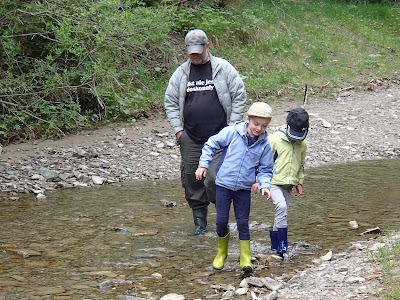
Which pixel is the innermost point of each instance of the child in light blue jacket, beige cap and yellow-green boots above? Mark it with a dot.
(246, 157)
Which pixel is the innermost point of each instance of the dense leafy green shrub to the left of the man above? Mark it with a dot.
(66, 63)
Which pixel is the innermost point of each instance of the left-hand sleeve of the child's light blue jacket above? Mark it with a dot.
(214, 143)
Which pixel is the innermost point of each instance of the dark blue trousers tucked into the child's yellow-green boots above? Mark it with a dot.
(241, 205)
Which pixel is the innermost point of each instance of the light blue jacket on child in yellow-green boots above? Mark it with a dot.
(239, 163)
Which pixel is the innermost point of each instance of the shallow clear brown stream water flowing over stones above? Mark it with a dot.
(103, 242)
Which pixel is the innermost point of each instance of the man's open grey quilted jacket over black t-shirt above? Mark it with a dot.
(228, 84)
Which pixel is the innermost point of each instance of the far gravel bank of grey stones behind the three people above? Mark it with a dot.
(355, 125)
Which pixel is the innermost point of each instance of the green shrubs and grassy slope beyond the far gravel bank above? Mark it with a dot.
(66, 65)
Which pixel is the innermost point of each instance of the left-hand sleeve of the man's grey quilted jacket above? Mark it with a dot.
(171, 102)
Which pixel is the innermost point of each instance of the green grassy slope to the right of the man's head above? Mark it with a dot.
(325, 44)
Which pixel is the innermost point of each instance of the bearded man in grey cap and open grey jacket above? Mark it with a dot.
(204, 95)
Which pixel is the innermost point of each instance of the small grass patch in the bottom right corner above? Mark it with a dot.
(388, 258)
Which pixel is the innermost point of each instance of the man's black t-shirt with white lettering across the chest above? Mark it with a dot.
(203, 115)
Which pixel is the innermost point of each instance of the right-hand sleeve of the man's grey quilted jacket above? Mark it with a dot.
(238, 94)
